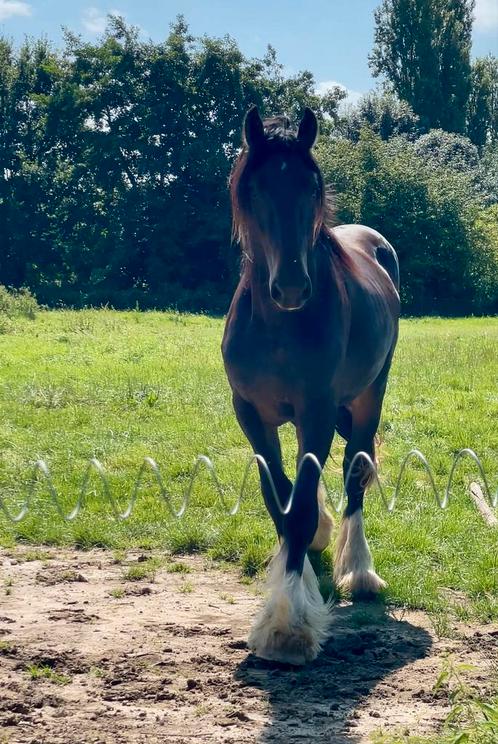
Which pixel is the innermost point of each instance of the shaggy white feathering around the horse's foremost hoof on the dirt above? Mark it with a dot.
(294, 622)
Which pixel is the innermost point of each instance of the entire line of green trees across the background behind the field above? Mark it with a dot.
(115, 158)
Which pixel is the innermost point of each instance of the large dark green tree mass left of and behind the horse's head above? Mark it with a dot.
(116, 158)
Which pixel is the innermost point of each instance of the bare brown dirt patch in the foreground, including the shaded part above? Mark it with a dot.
(166, 661)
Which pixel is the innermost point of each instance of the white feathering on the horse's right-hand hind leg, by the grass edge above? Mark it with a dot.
(353, 569)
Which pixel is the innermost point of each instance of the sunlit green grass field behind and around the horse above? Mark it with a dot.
(120, 386)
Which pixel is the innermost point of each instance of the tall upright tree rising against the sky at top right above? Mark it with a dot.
(423, 47)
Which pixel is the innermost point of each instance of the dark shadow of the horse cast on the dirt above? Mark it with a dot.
(322, 701)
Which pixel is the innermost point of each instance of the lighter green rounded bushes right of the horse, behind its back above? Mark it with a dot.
(448, 258)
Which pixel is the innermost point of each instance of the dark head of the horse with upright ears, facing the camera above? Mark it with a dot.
(278, 202)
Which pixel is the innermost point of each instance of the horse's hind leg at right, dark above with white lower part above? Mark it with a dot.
(353, 566)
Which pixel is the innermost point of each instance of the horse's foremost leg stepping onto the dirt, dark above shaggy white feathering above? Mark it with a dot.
(294, 623)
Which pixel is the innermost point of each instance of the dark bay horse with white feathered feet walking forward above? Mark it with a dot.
(309, 339)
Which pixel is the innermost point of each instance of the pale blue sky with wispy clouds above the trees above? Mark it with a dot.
(332, 38)
